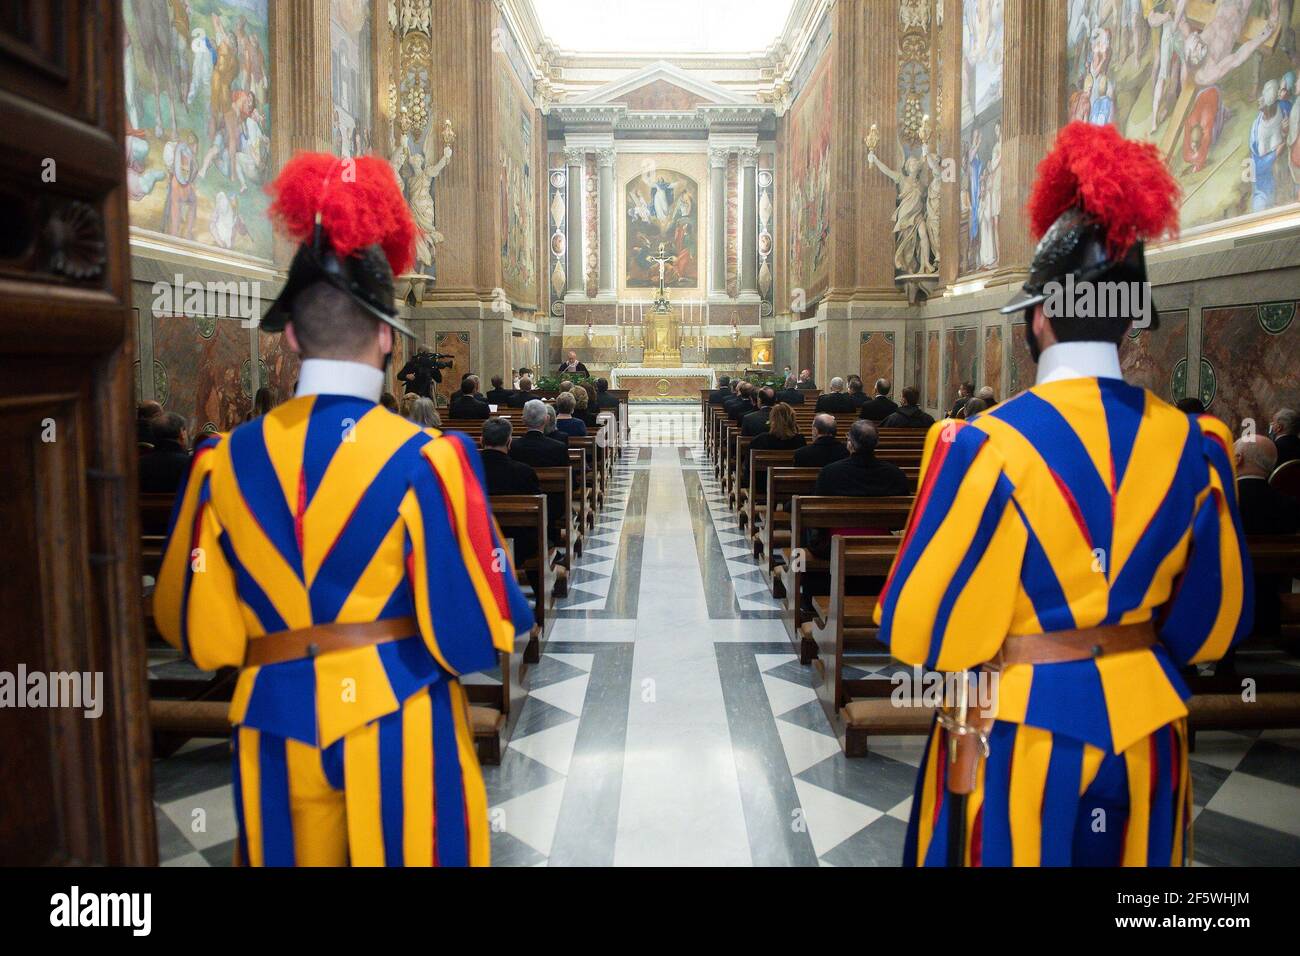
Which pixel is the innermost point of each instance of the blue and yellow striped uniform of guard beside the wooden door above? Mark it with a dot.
(332, 509)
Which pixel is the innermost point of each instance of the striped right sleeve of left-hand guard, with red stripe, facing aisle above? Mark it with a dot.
(466, 596)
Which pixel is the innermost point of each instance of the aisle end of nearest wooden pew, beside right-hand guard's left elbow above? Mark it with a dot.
(857, 707)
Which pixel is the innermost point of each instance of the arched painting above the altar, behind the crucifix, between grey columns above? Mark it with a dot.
(662, 207)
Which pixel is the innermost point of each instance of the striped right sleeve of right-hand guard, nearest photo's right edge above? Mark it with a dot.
(1214, 604)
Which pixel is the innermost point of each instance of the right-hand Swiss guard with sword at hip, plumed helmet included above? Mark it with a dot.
(1081, 543)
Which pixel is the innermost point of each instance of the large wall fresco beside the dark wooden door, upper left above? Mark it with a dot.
(198, 140)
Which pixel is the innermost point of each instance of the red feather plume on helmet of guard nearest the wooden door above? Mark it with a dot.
(359, 204)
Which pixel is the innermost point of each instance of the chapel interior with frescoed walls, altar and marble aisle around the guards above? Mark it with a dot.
(674, 196)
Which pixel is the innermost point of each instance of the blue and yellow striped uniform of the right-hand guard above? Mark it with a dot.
(1077, 504)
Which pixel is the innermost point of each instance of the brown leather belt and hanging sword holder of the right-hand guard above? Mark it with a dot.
(968, 742)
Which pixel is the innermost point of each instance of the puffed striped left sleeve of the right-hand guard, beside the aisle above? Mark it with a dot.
(951, 594)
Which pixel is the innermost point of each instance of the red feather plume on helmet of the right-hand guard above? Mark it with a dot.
(1123, 184)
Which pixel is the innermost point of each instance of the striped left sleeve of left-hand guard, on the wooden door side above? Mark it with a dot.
(196, 600)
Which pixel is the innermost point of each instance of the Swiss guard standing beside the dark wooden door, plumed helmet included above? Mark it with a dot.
(348, 563)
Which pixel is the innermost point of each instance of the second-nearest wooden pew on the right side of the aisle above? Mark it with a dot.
(826, 514)
